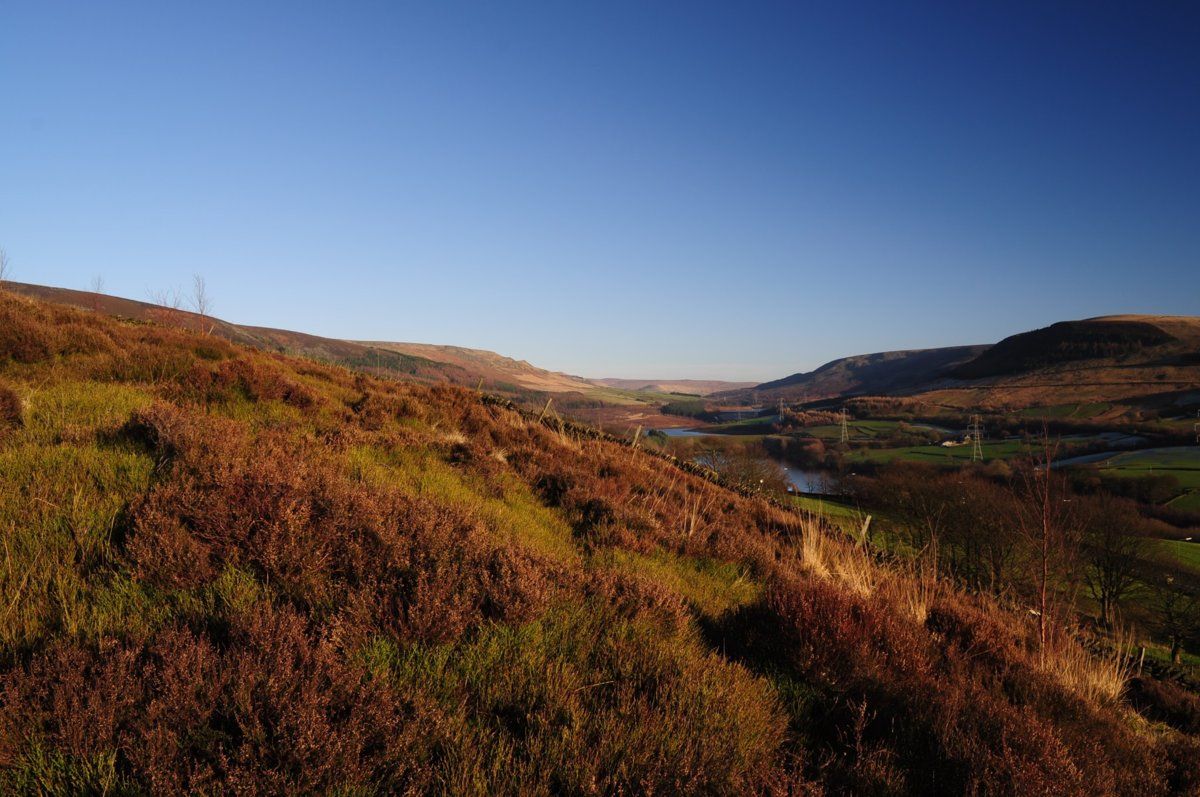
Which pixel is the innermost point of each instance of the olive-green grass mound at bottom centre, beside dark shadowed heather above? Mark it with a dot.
(574, 694)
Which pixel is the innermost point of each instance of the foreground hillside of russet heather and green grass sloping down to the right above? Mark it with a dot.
(231, 571)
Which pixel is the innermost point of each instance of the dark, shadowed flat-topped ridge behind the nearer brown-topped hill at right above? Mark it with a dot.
(866, 374)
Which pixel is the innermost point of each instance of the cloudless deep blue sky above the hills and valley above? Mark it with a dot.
(736, 190)
